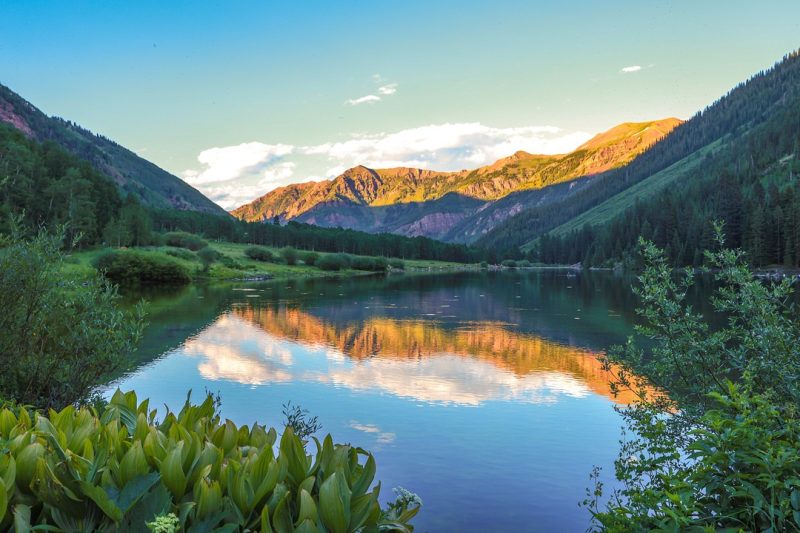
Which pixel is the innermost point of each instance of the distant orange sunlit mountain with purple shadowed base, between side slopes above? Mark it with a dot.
(454, 206)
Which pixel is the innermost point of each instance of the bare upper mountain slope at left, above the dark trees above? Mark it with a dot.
(156, 187)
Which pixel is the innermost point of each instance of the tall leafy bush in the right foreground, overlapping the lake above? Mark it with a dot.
(720, 453)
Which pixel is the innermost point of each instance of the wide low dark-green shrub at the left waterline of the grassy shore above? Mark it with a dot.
(136, 267)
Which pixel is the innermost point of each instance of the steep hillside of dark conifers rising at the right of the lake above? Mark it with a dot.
(748, 182)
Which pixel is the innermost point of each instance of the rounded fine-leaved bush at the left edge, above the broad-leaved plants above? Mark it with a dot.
(60, 336)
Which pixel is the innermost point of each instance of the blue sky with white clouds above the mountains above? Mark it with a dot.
(239, 97)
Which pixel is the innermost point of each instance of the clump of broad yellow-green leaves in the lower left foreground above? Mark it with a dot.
(122, 470)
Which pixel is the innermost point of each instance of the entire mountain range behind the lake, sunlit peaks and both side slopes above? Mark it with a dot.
(737, 161)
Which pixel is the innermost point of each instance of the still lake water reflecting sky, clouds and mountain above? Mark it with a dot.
(481, 392)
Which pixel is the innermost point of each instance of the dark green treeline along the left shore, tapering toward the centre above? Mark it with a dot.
(48, 186)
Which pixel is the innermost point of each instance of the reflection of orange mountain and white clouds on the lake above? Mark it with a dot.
(468, 365)
